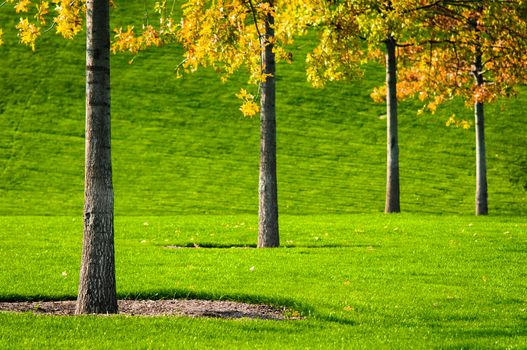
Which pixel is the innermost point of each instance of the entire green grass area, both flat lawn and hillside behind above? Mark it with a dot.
(185, 172)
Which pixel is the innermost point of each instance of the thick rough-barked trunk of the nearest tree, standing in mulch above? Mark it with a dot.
(97, 293)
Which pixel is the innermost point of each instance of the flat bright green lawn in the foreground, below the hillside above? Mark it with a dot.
(363, 281)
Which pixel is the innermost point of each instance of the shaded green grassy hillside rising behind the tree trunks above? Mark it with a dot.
(180, 146)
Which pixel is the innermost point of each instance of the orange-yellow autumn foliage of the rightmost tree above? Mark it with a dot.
(445, 66)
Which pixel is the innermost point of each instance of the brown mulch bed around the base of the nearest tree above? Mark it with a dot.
(189, 308)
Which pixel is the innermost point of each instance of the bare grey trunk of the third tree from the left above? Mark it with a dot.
(392, 161)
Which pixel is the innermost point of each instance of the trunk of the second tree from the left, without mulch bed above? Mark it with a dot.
(267, 188)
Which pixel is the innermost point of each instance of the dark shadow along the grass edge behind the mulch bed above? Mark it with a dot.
(292, 307)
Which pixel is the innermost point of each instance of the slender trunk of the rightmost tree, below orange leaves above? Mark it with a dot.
(482, 207)
